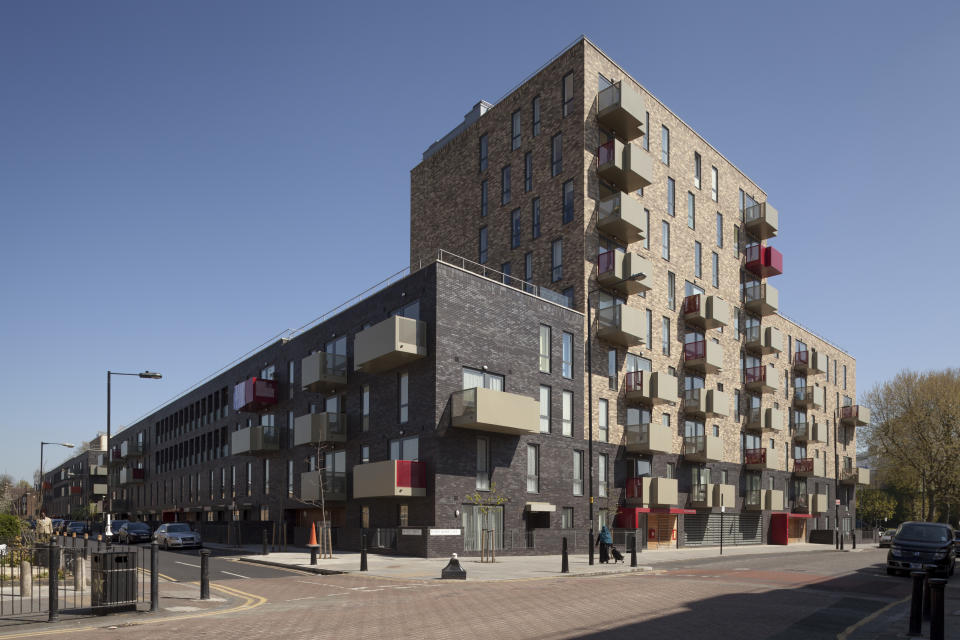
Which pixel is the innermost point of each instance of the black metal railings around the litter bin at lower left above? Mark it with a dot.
(40, 580)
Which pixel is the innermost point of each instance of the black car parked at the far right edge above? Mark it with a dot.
(918, 546)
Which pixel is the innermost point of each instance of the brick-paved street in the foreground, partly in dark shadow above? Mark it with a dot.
(816, 594)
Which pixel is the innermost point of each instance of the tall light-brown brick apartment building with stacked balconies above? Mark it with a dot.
(580, 182)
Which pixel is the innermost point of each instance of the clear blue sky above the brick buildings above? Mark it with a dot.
(180, 181)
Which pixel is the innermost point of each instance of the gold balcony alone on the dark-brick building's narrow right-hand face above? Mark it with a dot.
(494, 411)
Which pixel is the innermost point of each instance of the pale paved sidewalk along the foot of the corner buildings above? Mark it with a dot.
(509, 567)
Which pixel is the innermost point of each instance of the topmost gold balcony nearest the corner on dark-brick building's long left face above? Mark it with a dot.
(389, 344)
